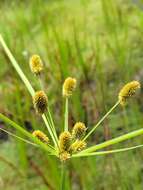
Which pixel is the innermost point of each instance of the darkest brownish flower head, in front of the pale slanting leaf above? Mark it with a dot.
(40, 102)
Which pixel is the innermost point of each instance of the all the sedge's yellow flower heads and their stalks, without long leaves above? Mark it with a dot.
(69, 142)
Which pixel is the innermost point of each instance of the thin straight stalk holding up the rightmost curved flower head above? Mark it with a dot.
(101, 120)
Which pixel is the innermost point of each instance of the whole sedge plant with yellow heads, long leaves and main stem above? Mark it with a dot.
(69, 144)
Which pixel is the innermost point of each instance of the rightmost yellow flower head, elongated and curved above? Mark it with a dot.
(127, 91)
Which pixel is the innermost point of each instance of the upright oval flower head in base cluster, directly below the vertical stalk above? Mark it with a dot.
(65, 141)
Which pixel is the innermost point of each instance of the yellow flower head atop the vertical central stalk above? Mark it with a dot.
(69, 86)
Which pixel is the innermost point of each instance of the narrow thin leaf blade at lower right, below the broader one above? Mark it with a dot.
(107, 152)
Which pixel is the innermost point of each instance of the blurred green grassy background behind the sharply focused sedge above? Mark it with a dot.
(99, 42)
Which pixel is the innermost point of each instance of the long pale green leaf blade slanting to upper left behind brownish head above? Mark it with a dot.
(22, 76)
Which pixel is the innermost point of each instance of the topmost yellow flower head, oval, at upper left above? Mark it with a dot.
(36, 64)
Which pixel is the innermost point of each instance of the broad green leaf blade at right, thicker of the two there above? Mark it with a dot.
(113, 141)
